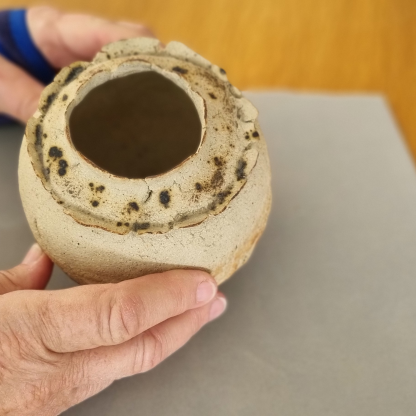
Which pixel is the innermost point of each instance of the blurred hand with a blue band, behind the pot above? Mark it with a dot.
(62, 39)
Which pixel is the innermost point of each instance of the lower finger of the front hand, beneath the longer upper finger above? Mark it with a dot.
(147, 350)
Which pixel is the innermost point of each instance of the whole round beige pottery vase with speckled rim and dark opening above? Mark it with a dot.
(144, 160)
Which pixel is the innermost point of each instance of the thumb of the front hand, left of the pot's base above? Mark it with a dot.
(33, 273)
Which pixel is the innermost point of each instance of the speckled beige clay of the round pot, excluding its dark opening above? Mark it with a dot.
(206, 213)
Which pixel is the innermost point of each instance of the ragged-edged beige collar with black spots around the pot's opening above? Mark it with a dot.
(201, 186)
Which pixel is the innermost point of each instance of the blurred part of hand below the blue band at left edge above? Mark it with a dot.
(19, 93)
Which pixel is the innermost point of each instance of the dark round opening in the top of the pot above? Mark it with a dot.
(136, 126)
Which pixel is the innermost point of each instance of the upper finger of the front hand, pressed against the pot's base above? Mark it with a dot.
(101, 315)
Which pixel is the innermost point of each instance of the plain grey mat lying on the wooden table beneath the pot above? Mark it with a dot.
(322, 321)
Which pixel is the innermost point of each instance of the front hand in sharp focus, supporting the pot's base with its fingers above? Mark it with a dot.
(57, 348)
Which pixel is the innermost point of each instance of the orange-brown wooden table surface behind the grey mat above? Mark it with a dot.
(308, 45)
